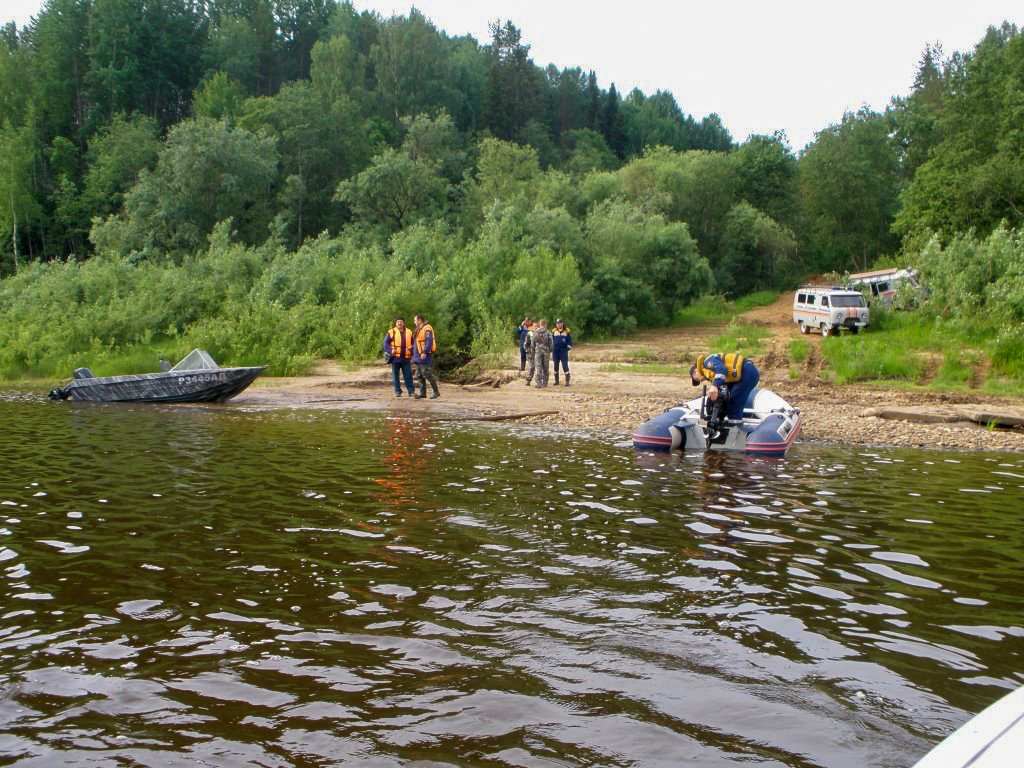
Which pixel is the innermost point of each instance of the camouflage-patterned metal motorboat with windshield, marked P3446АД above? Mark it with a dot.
(196, 379)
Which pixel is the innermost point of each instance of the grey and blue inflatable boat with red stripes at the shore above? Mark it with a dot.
(769, 429)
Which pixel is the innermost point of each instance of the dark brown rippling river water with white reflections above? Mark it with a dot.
(216, 586)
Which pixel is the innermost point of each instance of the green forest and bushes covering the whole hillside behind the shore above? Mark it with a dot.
(275, 181)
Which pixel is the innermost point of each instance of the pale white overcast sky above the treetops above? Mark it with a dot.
(790, 65)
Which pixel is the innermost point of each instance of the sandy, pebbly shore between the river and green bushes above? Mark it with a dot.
(607, 395)
